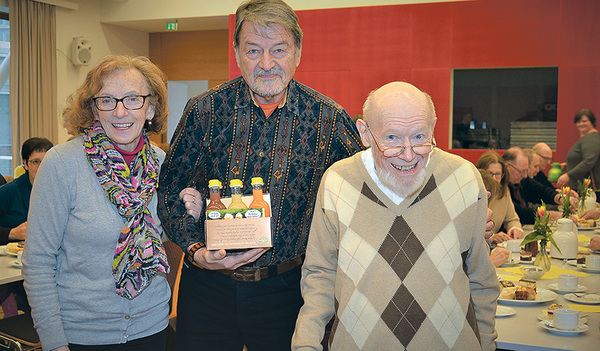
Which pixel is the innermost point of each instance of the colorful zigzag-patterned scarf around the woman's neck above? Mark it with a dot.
(139, 253)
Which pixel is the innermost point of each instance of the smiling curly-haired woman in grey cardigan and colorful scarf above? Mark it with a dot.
(94, 262)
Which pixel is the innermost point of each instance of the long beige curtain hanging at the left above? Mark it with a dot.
(33, 107)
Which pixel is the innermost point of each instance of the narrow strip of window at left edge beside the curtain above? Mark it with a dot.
(5, 128)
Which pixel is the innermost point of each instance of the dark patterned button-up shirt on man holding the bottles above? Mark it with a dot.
(223, 134)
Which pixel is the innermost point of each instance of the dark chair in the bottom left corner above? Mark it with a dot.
(17, 333)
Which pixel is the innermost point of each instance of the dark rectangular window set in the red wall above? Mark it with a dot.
(496, 108)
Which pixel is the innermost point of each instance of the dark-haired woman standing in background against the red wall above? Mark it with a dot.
(583, 159)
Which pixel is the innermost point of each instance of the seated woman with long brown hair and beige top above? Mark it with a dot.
(501, 204)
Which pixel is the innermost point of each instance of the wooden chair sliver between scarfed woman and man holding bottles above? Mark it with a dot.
(175, 257)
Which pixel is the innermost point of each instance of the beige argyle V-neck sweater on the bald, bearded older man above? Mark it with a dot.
(413, 276)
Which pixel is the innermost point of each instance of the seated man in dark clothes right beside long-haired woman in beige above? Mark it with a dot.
(526, 192)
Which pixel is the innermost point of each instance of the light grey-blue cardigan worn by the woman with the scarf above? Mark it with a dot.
(67, 263)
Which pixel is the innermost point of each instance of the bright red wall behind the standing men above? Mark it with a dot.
(349, 52)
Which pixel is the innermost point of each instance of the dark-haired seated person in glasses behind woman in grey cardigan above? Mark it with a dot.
(14, 196)
